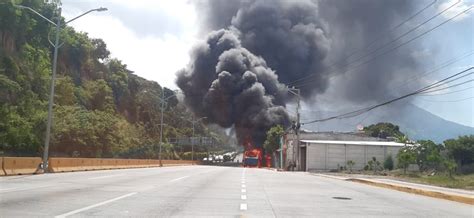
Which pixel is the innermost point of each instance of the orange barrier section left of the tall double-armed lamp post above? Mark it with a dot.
(20, 165)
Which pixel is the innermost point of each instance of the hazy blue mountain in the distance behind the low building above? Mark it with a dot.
(413, 121)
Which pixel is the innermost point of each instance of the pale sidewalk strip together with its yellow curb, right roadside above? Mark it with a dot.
(458, 195)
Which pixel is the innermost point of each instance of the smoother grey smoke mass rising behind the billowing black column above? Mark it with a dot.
(289, 35)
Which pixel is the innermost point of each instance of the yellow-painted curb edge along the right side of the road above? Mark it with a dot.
(434, 194)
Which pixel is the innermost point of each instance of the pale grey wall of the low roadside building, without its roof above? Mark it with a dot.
(332, 156)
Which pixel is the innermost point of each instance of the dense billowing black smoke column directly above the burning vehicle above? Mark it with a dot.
(232, 87)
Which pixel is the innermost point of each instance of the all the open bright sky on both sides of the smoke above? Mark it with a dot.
(154, 39)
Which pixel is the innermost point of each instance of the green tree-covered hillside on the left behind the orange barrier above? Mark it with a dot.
(102, 109)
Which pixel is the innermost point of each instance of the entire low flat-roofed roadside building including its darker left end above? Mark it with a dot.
(326, 151)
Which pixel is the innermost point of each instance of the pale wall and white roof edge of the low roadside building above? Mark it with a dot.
(333, 154)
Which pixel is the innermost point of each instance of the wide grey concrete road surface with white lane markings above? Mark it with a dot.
(209, 191)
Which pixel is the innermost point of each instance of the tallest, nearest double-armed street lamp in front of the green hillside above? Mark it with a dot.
(56, 46)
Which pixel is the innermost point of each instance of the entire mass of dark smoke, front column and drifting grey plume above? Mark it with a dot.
(237, 76)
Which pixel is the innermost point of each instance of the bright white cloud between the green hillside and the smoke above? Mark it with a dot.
(150, 56)
